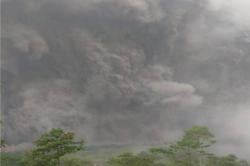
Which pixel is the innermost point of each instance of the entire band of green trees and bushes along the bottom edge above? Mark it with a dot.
(53, 149)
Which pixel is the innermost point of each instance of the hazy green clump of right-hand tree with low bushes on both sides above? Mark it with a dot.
(189, 151)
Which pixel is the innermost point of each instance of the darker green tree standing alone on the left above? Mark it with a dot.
(50, 147)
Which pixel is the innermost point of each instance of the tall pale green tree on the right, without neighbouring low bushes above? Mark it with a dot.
(190, 150)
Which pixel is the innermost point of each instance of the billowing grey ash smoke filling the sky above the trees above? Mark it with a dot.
(125, 71)
